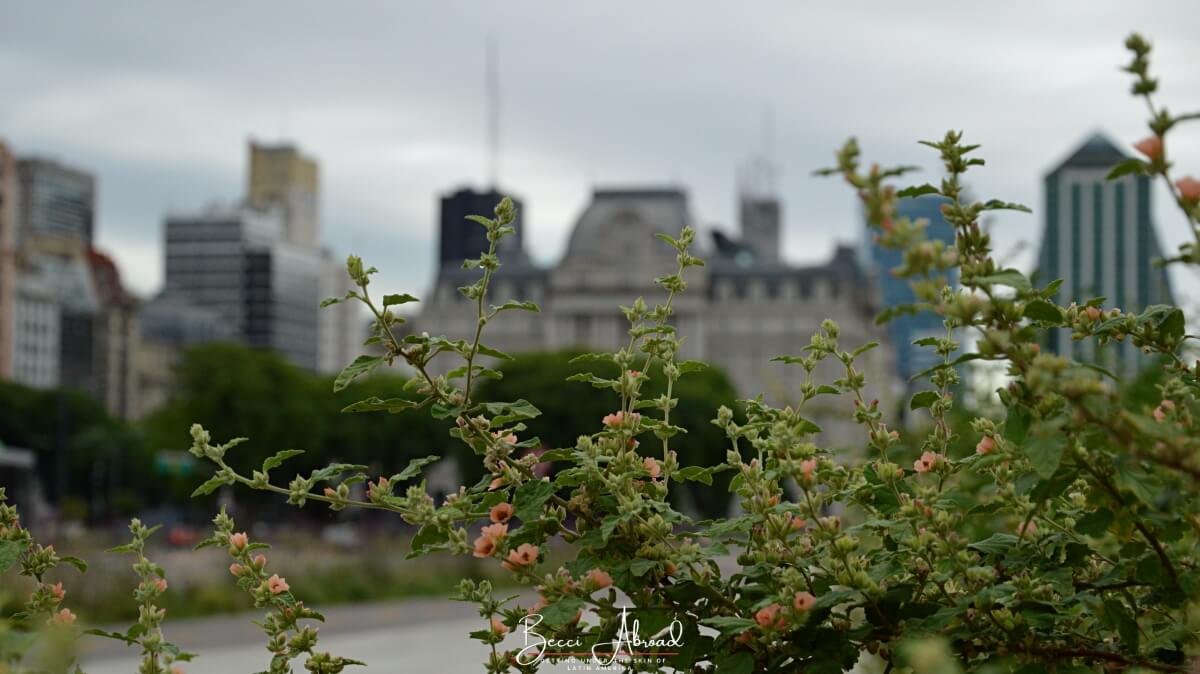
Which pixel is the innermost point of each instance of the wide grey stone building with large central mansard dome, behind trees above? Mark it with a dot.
(745, 308)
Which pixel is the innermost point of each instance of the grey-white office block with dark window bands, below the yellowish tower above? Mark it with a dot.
(238, 263)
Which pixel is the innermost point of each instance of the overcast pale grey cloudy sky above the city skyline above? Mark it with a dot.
(159, 100)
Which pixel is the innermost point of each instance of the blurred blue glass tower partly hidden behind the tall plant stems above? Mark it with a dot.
(895, 292)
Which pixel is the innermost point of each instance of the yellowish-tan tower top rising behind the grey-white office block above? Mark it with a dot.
(280, 177)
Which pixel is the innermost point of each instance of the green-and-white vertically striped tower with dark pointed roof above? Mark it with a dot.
(1100, 239)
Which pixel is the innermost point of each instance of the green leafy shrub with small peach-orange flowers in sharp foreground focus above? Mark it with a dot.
(1066, 541)
